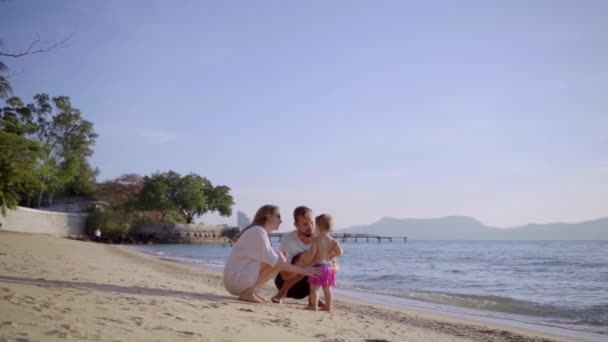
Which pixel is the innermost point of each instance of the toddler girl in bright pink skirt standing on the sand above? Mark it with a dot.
(322, 250)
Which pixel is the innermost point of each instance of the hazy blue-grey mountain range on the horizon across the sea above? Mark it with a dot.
(467, 228)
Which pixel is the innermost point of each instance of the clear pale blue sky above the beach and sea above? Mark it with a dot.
(363, 109)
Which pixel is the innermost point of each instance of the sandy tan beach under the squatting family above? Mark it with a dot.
(56, 289)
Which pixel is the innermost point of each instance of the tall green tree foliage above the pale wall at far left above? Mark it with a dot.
(64, 141)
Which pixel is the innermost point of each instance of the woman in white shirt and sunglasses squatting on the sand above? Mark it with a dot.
(252, 261)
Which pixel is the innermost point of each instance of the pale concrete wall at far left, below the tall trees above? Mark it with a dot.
(28, 220)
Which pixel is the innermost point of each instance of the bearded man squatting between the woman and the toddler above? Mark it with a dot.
(294, 245)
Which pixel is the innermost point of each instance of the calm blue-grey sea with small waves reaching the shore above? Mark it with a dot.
(558, 287)
